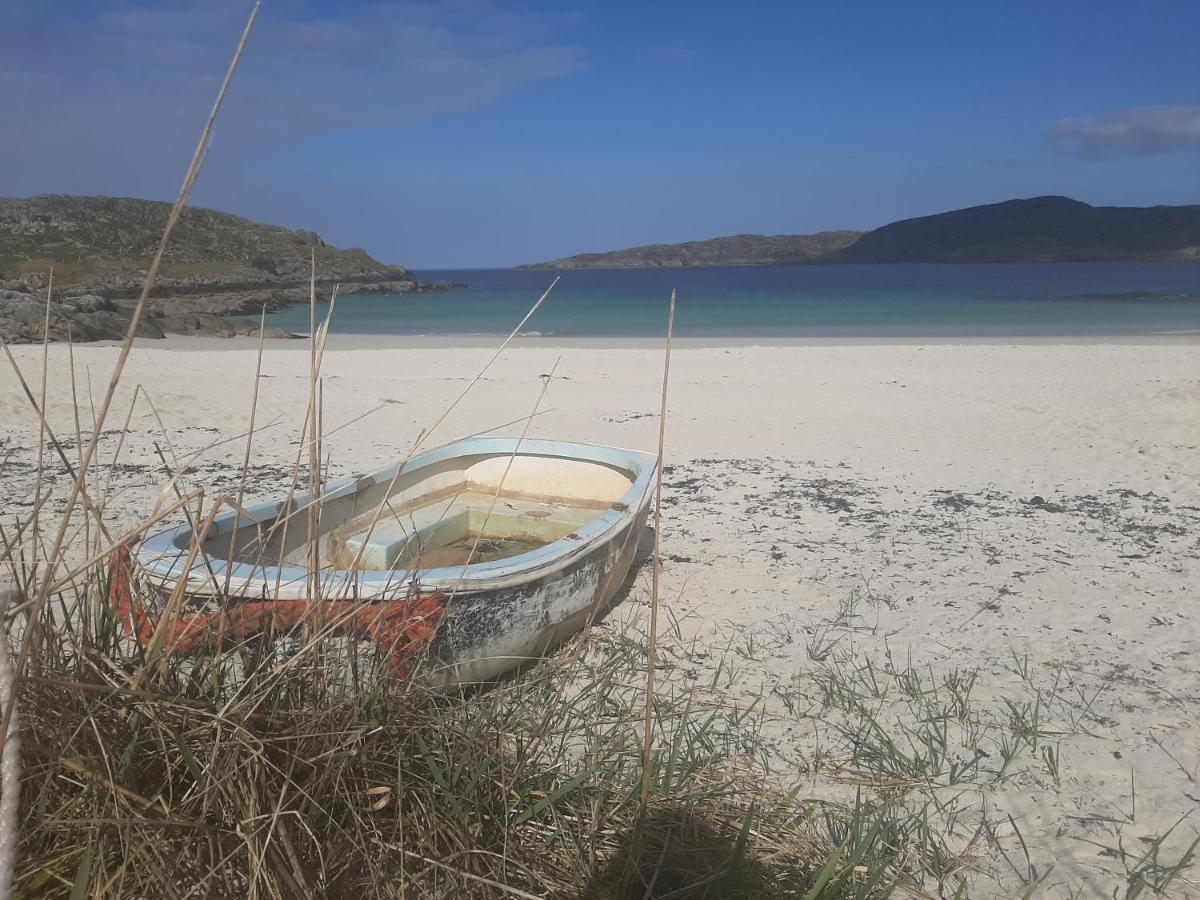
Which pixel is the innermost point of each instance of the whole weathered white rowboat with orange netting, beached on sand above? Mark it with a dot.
(482, 555)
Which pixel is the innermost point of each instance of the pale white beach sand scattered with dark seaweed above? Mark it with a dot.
(1027, 512)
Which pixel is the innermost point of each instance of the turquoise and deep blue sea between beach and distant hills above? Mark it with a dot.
(1015, 299)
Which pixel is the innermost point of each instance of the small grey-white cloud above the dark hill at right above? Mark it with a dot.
(1137, 131)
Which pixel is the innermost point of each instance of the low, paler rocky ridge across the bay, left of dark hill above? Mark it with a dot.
(739, 250)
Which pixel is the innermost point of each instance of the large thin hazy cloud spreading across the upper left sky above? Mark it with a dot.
(123, 88)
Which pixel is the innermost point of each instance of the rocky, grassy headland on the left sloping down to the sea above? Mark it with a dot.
(217, 265)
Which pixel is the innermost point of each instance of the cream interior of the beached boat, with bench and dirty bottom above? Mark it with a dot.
(458, 512)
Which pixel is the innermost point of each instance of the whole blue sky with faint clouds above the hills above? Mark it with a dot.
(477, 134)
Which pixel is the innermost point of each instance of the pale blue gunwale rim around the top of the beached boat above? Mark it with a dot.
(164, 556)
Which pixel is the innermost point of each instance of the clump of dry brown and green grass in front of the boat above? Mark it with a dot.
(214, 779)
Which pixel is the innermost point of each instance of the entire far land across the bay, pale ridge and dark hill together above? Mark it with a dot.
(1039, 230)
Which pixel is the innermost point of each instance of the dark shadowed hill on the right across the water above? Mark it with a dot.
(1039, 230)
